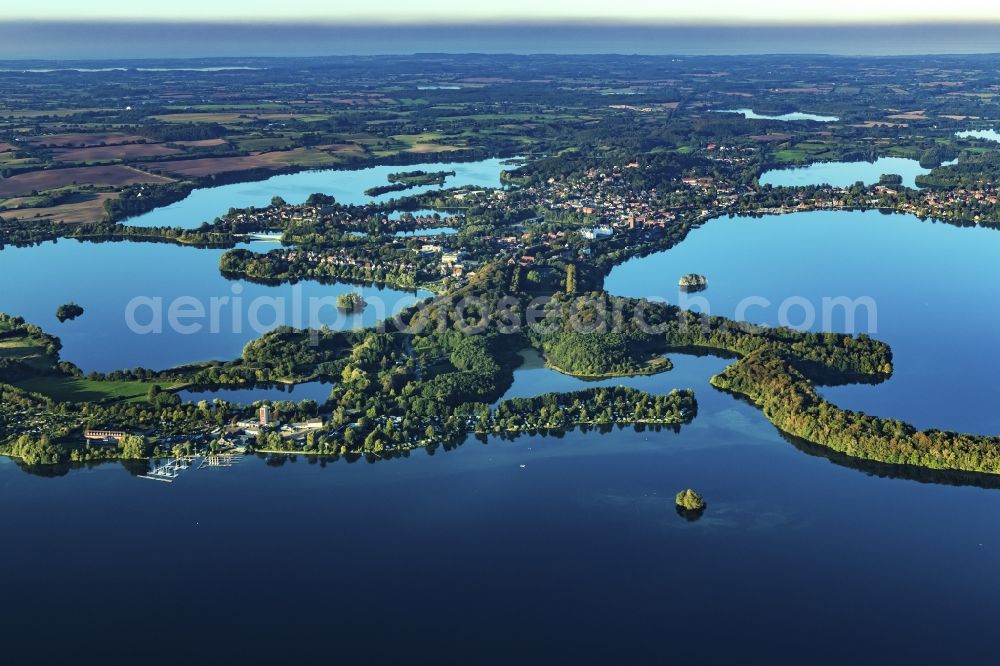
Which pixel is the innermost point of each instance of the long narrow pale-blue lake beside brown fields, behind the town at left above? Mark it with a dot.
(347, 186)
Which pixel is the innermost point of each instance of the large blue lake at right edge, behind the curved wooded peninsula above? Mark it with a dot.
(932, 287)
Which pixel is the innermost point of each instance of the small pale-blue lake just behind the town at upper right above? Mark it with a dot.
(845, 174)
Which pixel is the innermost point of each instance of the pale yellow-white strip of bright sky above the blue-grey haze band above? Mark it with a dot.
(714, 11)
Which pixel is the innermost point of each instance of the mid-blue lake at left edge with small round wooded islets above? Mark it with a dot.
(105, 278)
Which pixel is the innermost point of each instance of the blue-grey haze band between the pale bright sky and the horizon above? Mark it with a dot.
(111, 40)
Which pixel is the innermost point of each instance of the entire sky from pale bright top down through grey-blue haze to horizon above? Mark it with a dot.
(51, 29)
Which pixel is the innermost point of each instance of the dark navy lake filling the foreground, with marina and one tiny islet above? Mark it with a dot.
(576, 557)
